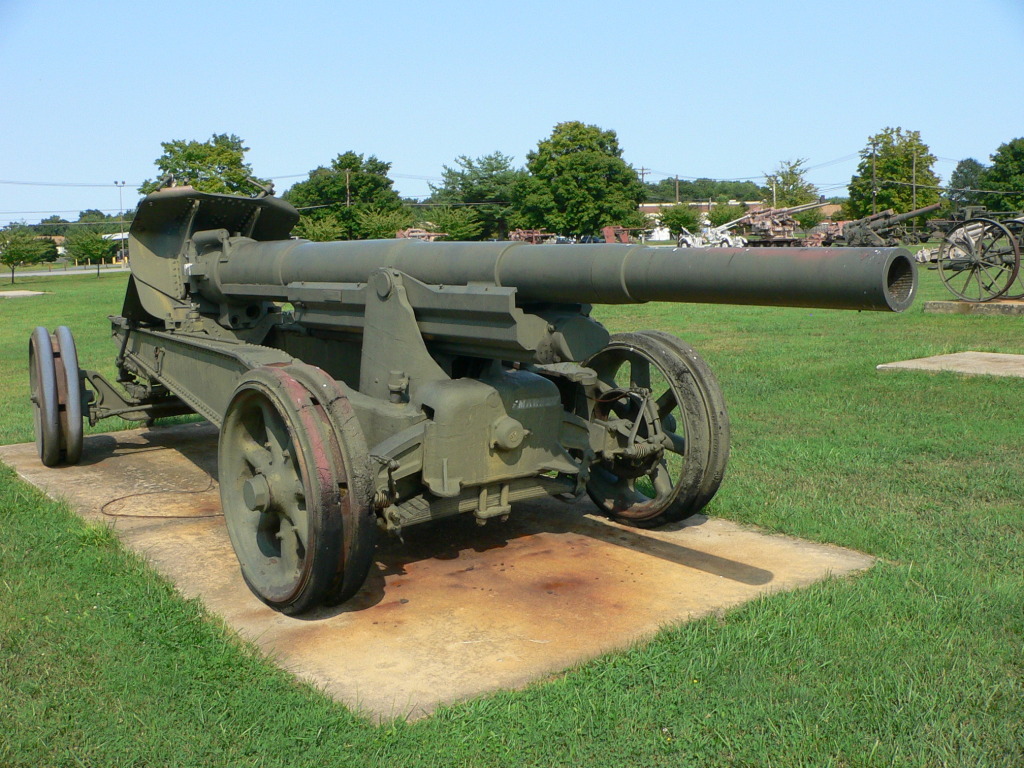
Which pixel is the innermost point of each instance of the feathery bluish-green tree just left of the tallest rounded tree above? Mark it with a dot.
(488, 185)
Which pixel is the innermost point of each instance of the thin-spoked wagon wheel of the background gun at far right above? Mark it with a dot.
(979, 261)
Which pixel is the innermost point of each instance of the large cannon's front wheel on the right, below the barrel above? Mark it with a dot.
(667, 431)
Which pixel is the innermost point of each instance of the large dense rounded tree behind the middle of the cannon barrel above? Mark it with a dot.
(579, 183)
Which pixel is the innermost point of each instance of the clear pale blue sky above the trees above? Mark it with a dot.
(722, 90)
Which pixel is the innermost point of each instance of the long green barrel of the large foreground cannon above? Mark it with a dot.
(874, 279)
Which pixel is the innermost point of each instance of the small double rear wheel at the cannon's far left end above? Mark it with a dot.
(56, 389)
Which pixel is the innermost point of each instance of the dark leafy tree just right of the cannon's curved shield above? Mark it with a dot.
(351, 191)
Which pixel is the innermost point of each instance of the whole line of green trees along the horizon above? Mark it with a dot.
(574, 183)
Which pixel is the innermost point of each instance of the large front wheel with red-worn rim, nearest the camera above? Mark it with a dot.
(296, 504)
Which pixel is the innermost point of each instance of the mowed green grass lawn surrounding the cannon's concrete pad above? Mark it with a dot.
(919, 662)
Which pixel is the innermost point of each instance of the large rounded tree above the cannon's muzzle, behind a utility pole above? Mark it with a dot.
(895, 172)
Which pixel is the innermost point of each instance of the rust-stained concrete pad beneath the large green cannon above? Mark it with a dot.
(457, 610)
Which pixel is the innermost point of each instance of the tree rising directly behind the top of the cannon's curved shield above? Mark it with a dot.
(217, 165)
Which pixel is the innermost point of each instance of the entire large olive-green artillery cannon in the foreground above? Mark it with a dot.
(370, 386)
